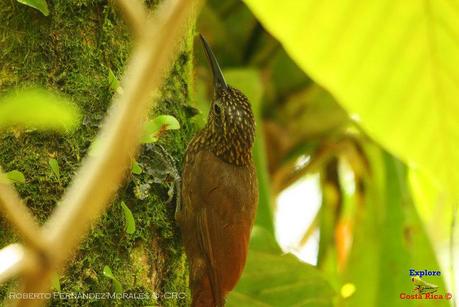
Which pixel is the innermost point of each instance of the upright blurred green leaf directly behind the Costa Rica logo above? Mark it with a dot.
(389, 240)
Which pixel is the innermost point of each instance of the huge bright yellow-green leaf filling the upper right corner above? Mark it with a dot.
(393, 64)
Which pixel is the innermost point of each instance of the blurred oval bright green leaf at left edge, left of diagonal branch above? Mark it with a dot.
(38, 108)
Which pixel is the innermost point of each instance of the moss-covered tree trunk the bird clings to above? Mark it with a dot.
(71, 51)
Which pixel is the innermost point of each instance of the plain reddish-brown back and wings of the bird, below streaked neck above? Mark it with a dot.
(219, 203)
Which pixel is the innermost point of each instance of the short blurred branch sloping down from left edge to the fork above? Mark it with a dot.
(20, 217)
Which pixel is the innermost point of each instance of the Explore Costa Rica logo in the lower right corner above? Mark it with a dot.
(424, 290)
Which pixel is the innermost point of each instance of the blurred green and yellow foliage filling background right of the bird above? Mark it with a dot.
(355, 79)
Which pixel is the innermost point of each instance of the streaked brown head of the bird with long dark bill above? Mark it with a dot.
(230, 125)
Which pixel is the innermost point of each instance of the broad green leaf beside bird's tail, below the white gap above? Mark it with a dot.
(272, 278)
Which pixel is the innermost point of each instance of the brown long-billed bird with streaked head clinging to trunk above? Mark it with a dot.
(219, 193)
